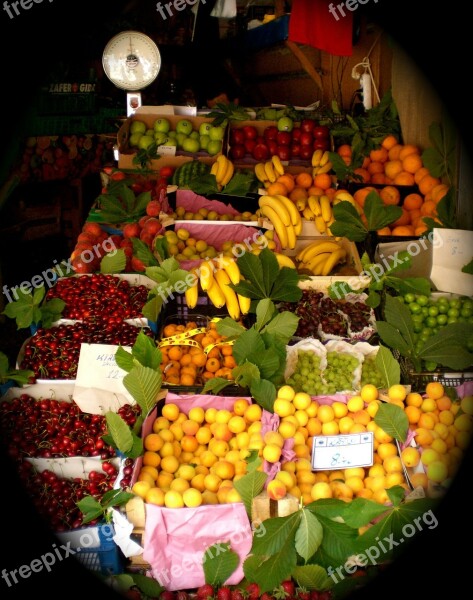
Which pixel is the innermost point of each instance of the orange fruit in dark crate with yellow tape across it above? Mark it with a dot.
(190, 365)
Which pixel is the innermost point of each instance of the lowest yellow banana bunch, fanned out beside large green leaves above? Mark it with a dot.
(214, 277)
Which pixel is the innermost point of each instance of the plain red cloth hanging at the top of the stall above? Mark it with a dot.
(312, 23)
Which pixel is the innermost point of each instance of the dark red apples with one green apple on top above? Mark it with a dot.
(285, 138)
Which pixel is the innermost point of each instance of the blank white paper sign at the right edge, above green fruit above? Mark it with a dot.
(452, 250)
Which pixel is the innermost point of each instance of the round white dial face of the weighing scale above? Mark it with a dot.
(131, 60)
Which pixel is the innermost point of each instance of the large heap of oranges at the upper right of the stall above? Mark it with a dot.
(393, 165)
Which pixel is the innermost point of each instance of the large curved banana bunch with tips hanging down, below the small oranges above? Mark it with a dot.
(284, 216)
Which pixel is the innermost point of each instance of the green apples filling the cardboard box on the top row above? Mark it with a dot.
(207, 138)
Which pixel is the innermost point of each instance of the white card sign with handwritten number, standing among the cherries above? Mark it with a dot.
(99, 382)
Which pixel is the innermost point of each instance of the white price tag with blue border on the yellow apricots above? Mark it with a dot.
(342, 451)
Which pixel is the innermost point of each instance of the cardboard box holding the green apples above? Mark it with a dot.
(127, 154)
